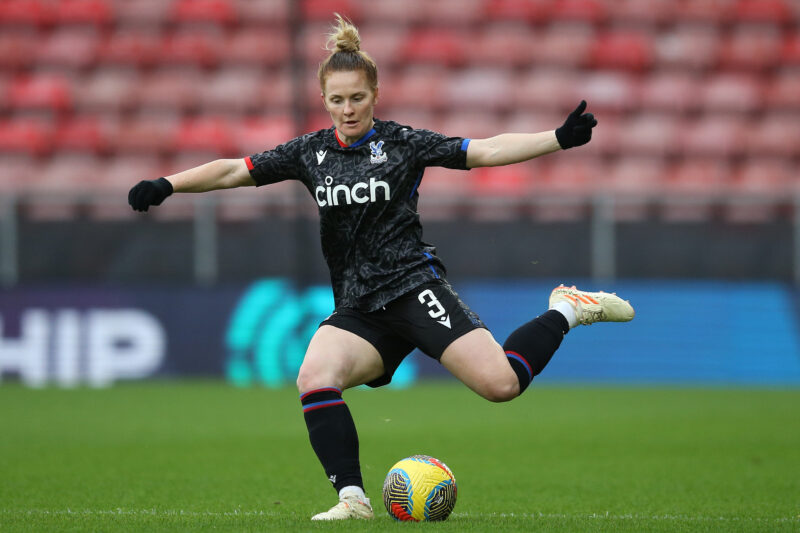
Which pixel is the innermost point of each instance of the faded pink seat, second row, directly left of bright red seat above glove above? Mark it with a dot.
(563, 45)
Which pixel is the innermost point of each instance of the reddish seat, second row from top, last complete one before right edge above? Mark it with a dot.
(752, 47)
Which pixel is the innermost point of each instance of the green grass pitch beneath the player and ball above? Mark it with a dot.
(198, 456)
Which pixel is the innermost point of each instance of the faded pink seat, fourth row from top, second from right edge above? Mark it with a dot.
(714, 135)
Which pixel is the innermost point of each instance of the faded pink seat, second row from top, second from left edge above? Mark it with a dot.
(70, 47)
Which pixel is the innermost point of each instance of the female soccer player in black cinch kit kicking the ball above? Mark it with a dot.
(389, 287)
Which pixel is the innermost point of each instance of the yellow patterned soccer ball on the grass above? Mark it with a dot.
(419, 488)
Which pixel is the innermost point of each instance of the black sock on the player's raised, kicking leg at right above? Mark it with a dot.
(530, 347)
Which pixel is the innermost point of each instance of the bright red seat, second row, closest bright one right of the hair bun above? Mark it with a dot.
(437, 46)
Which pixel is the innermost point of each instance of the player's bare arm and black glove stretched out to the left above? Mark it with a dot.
(219, 174)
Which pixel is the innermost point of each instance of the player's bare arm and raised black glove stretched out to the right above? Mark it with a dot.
(509, 148)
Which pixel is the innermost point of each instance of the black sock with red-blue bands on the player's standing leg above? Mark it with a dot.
(333, 436)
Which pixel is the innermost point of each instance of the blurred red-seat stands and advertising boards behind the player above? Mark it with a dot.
(686, 200)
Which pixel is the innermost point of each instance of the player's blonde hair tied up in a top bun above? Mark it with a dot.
(346, 55)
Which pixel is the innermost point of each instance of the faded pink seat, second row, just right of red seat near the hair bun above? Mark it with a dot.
(506, 44)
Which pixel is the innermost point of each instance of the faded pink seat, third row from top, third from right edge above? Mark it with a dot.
(675, 91)
